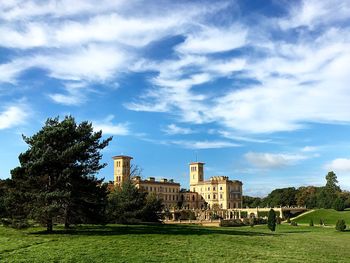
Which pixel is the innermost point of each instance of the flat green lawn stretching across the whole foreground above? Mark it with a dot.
(173, 243)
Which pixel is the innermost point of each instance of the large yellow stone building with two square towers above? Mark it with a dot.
(217, 192)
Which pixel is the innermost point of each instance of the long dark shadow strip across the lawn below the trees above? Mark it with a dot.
(117, 230)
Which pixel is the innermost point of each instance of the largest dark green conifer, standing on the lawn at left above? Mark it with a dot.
(55, 178)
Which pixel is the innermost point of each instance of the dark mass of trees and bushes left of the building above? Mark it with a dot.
(56, 182)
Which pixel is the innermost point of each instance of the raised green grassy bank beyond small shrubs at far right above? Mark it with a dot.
(329, 216)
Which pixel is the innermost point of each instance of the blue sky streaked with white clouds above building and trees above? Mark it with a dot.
(258, 90)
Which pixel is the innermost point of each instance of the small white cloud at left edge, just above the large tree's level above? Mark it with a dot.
(13, 115)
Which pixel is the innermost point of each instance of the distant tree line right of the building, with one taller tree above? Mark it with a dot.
(328, 196)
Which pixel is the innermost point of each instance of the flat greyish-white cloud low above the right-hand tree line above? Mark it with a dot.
(273, 160)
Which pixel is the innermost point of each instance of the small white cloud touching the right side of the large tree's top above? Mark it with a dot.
(108, 127)
